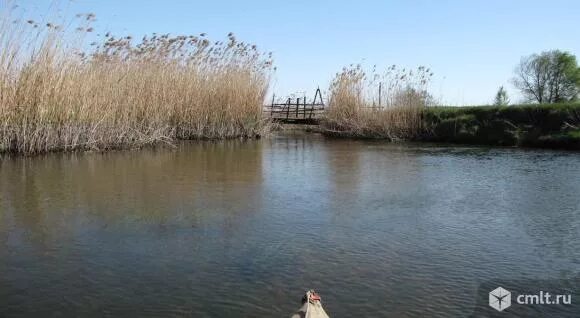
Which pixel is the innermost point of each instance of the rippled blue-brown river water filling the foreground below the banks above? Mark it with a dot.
(242, 229)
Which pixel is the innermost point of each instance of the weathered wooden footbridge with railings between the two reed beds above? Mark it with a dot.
(297, 111)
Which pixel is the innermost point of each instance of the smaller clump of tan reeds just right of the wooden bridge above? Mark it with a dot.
(372, 105)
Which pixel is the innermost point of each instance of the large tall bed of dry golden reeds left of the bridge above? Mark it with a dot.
(60, 93)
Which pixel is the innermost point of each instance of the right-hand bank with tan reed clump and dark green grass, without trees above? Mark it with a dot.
(400, 109)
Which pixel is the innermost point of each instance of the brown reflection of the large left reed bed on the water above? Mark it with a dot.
(57, 194)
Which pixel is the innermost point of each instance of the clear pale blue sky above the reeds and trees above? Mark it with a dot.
(471, 46)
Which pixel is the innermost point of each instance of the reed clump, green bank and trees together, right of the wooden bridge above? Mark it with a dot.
(550, 79)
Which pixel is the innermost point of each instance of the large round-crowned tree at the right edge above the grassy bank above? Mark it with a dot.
(548, 77)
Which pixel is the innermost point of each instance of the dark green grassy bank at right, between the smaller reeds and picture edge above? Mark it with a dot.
(547, 126)
